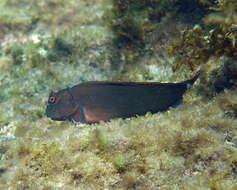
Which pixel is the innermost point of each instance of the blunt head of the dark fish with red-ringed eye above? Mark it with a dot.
(60, 105)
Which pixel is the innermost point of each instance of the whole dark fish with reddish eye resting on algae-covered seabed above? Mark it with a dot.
(91, 102)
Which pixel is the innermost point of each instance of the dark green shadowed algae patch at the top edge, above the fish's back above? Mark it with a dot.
(133, 21)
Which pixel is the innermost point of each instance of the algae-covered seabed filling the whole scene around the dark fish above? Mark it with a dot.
(54, 44)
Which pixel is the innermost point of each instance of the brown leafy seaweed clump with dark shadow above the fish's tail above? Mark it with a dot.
(211, 46)
